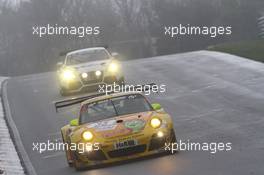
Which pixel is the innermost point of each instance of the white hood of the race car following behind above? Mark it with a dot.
(91, 66)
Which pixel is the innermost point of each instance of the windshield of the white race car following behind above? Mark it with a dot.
(86, 56)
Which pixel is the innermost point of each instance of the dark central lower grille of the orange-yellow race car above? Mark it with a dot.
(127, 151)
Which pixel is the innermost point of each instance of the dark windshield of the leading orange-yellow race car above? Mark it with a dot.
(123, 105)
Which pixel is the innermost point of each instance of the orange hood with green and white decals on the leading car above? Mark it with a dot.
(120, 126)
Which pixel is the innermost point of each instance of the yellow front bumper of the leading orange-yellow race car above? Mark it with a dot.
(148, 144)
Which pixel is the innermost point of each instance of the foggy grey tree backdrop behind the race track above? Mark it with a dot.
(134, 28)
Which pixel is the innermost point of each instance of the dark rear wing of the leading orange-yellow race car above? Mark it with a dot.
(77, 100)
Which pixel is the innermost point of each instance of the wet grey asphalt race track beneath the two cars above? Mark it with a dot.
(212, 97)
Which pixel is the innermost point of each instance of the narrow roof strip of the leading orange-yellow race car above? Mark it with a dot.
(104, 97)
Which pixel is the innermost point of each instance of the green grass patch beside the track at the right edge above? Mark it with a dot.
(250, 49)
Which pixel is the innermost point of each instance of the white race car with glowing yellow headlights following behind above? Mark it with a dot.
(86, 69)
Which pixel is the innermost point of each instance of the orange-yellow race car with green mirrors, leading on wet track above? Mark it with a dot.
(116, 127)
